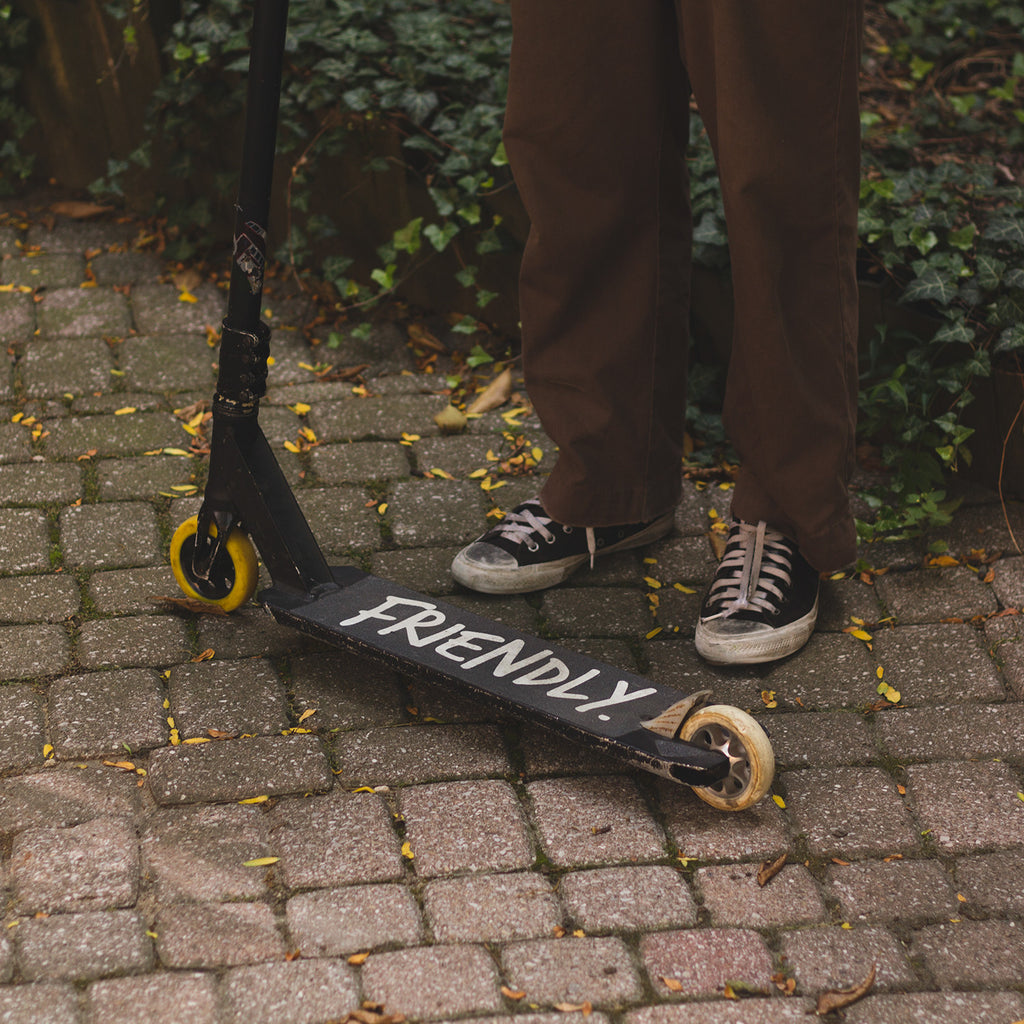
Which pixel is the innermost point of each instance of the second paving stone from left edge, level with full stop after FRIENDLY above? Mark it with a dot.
(98, 715)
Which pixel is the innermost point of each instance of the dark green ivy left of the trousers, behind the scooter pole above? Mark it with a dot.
(358, 74)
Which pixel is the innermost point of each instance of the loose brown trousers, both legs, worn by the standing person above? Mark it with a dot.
(596, 132)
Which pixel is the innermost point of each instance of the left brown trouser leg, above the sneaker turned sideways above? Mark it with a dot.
(595, 133)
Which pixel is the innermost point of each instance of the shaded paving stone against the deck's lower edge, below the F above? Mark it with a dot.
(349, 693)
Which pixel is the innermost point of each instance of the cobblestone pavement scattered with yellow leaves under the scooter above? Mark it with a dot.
(430, 855)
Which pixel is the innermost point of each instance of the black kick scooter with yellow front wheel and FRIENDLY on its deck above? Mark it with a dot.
(248, 505)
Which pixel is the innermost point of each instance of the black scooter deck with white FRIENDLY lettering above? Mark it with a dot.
(584, 700)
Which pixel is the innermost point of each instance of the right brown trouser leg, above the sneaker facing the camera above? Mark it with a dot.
(777, 83)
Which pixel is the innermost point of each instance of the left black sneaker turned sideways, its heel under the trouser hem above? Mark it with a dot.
(528, 550)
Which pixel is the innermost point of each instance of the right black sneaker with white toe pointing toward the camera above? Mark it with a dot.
(763, 603)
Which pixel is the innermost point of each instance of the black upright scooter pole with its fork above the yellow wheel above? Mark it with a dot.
(246, 486)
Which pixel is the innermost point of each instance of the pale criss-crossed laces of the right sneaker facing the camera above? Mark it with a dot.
(756, 568)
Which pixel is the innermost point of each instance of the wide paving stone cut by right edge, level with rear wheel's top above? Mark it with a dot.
(961, 733)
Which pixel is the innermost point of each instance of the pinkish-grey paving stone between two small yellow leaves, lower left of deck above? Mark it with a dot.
(338, 840)
